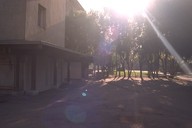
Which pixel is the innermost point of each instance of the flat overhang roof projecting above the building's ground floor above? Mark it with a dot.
(41, 47)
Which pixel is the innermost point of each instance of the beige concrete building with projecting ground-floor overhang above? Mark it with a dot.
(33, 56)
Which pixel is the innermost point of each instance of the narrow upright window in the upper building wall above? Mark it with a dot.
(41, 16)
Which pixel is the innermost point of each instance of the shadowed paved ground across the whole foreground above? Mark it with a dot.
(113, 103)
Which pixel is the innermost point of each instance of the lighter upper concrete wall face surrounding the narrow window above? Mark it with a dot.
(54, 31)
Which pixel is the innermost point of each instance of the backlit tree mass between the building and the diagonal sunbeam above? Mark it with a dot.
(118, 42)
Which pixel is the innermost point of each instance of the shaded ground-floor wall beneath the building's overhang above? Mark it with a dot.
(32, 73)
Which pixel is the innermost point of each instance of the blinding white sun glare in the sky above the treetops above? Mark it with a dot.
(123, 7)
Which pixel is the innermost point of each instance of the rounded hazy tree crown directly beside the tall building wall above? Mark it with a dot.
(82, 32)
